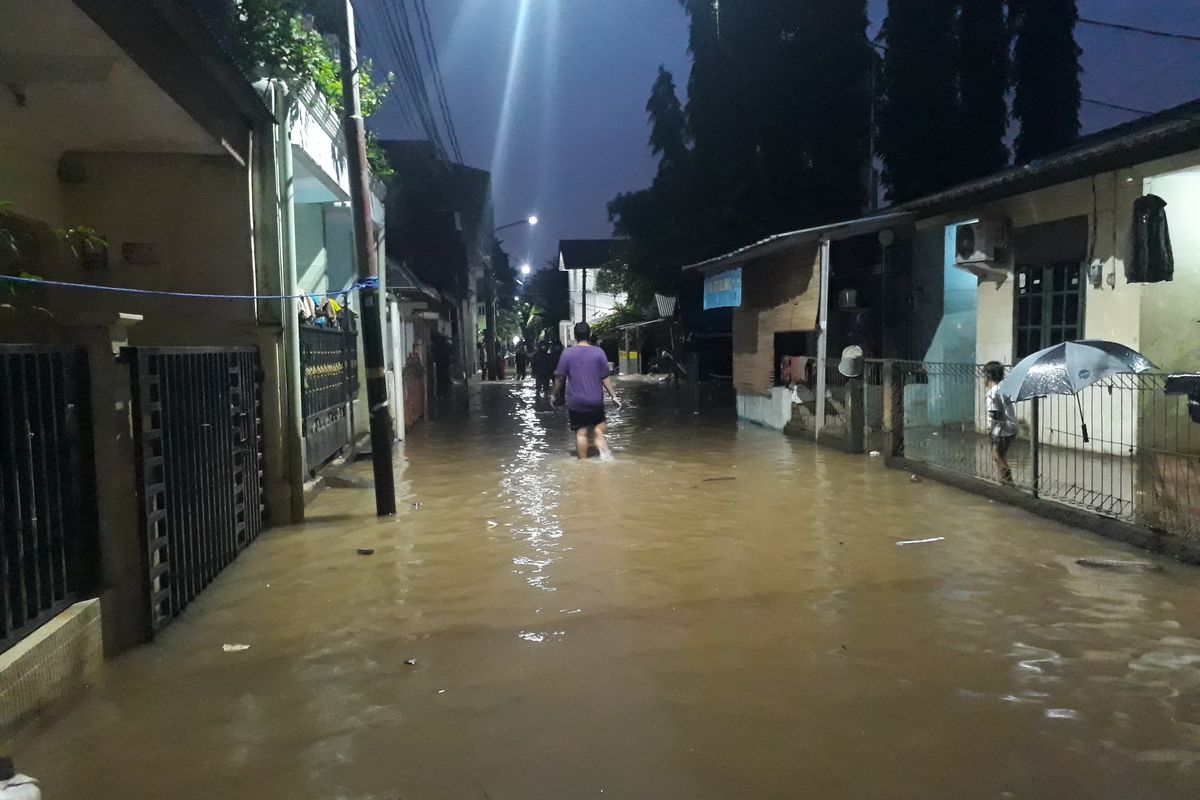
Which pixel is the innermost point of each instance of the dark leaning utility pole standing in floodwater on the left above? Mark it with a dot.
(368, 269)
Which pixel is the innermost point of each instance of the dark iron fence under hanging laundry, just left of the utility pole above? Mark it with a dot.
(329, 362)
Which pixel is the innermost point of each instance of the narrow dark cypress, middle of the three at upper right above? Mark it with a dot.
(985, 43)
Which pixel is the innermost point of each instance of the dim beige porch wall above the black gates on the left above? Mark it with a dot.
(191, 215)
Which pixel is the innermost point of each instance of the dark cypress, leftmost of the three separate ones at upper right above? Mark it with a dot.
(920, 109)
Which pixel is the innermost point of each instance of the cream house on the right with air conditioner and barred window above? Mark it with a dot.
(1047, 250)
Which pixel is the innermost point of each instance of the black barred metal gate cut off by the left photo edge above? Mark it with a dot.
(49, 531)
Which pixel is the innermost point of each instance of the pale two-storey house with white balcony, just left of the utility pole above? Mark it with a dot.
(322, 350)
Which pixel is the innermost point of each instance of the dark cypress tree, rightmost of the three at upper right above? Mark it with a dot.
(1046, 65)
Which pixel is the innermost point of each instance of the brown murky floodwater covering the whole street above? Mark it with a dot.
(721, 613)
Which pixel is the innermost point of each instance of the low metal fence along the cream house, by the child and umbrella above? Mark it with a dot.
(1141, 462)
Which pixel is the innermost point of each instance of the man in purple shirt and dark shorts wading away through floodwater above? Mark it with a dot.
(585, 370)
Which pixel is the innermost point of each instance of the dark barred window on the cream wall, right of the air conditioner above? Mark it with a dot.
(1049, 306)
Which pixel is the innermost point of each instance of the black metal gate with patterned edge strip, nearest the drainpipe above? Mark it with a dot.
(199, 428)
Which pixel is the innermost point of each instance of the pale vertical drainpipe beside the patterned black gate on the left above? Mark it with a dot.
(291, 287)
